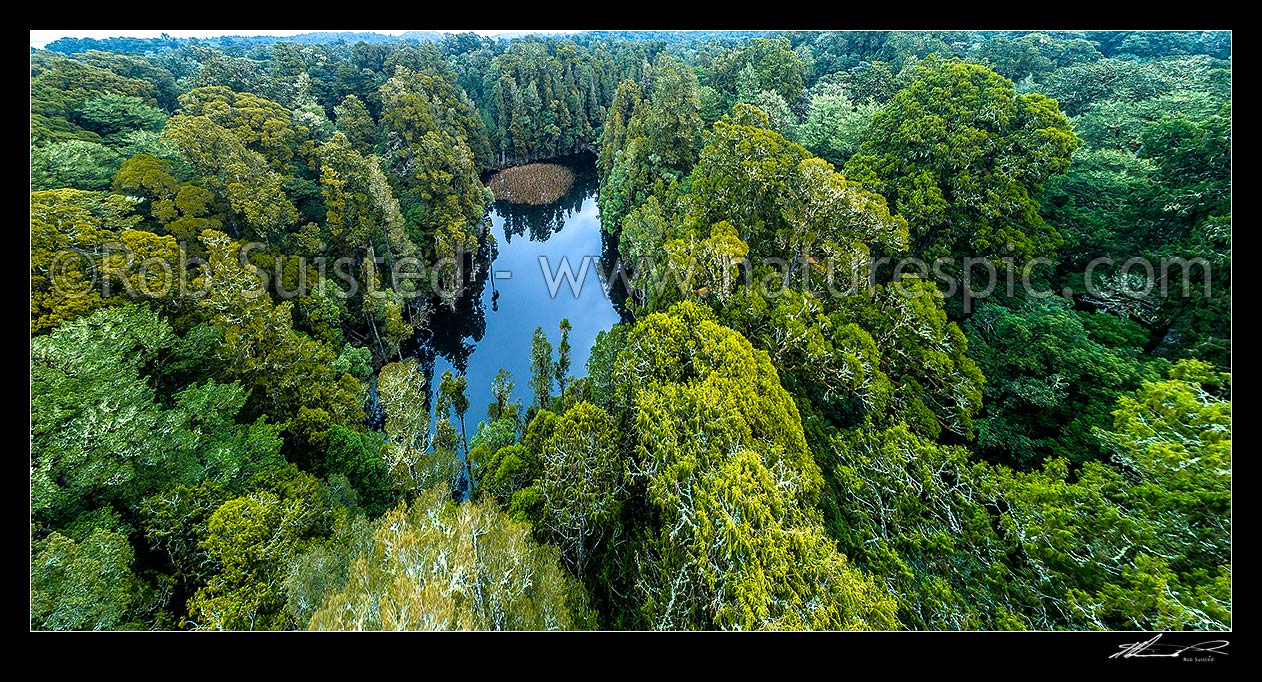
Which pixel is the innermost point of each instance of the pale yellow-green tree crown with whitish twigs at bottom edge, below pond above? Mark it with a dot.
(440, 566)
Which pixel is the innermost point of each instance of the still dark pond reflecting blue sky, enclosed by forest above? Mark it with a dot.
(493, 325)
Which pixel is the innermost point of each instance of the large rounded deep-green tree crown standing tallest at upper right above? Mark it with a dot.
(962, 157)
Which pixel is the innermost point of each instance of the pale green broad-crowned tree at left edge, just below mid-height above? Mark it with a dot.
(89, 452)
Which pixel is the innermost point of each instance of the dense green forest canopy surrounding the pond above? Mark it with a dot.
(919, 330)
